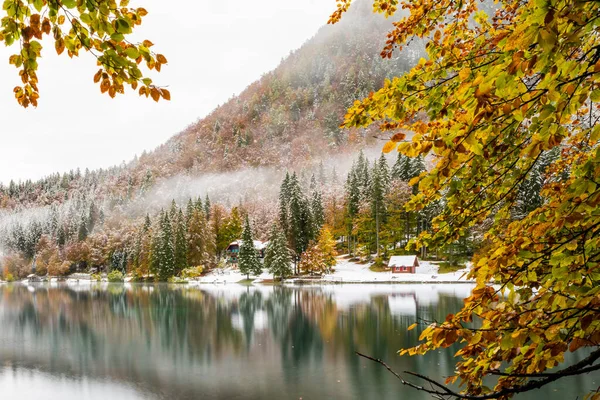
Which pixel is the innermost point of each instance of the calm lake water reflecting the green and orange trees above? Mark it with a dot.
(223, 342)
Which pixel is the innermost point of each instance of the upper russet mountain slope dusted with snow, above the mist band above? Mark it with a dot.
(287, 118)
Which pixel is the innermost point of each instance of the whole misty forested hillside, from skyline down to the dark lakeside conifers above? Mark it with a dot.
(287, 120)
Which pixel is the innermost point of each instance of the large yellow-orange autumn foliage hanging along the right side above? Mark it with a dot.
(495, 93)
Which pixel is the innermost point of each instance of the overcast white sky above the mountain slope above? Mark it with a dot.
(215, 49)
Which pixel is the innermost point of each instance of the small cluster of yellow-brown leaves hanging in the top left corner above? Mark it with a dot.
(101, 27)
